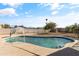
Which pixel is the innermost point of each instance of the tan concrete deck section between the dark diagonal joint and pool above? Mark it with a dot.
(42, 51)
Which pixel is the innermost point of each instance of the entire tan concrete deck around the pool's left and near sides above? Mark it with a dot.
(25, 49)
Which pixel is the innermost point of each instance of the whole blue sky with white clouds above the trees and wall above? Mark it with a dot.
(34, 14)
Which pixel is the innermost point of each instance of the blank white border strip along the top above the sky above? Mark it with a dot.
(39, 1)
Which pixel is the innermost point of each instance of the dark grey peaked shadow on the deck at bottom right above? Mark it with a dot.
(66, 52)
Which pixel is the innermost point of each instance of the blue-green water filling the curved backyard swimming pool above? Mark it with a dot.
(49, 42)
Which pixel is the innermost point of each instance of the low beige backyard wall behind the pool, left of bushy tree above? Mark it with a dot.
(20, 31)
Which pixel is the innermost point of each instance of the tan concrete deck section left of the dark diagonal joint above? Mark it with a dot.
(6, 49)
